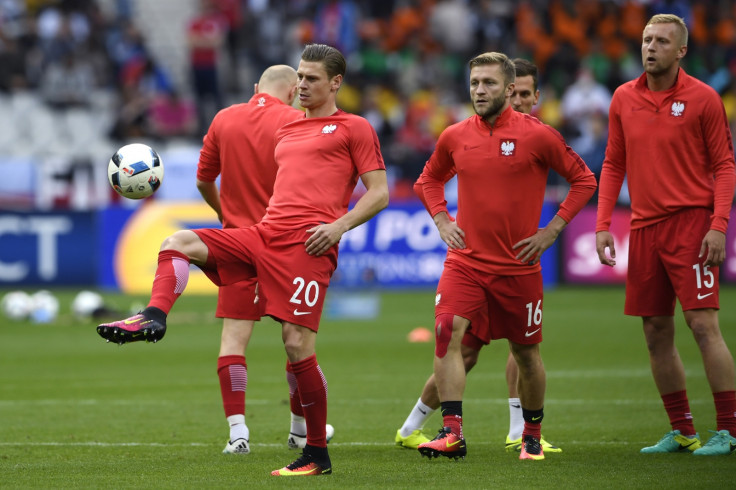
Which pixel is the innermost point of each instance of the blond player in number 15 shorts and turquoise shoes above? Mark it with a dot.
(668, 127)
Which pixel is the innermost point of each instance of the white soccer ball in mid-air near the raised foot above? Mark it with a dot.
(135, 171)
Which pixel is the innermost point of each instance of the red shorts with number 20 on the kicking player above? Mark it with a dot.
(291, 283)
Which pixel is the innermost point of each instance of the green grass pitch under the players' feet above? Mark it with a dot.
(77, 412)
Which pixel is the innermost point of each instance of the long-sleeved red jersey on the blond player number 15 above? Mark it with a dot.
(676, 148)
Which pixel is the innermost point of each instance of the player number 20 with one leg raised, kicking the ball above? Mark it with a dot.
(293, 250)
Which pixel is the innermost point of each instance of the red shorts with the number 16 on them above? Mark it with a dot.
(498, 307)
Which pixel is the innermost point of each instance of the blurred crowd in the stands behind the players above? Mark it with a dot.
(407, 61)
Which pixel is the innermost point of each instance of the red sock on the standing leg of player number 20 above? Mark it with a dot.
(312, 388)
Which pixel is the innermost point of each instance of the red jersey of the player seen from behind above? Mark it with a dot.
(239, 145)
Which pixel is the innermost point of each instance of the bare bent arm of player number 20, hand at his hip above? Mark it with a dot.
(371, 203)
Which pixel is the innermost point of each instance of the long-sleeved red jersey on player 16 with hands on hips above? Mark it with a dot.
(502, 176)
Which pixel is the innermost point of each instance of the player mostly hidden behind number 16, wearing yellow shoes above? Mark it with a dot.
(524, 97)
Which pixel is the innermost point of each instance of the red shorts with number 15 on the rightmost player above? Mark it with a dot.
(664, 265)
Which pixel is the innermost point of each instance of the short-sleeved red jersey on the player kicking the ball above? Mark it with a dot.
(319, 162)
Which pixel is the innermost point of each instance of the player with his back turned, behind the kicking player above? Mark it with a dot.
(239, 148)
